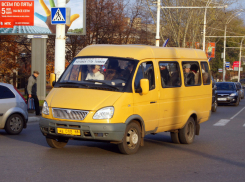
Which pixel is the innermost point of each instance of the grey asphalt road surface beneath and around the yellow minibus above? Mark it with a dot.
(217, 154)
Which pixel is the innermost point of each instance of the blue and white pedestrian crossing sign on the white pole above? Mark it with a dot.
(58, 15)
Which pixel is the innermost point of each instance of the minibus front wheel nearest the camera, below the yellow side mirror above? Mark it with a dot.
(131, 139)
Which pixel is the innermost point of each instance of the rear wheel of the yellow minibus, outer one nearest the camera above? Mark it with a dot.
(187, 134)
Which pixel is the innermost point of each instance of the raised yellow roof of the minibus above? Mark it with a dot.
(141, 52)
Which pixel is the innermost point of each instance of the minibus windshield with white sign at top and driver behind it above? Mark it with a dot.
(98, 73)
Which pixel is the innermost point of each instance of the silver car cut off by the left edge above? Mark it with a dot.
(13, 109)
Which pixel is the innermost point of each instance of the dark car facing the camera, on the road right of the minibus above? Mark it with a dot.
(228, 93)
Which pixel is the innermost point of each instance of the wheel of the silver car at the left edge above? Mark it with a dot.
(14, 124)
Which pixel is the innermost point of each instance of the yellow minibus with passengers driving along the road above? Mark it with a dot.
(121, 93)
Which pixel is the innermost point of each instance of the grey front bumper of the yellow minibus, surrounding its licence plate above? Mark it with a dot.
(89, 131)
